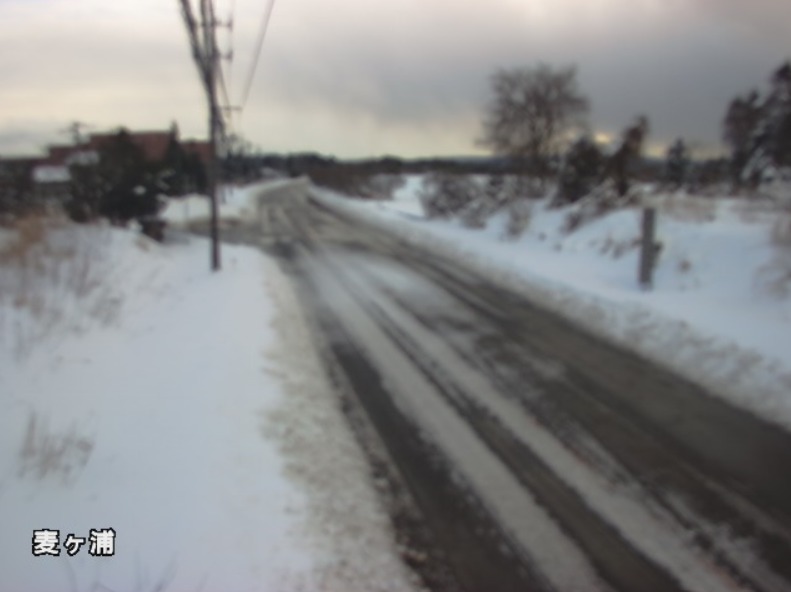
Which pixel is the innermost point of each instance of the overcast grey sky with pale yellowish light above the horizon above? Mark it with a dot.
(373, 77)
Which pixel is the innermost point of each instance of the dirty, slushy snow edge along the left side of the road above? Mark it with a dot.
(348, 519)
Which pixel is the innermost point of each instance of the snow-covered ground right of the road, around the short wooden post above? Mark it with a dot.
(720, 308)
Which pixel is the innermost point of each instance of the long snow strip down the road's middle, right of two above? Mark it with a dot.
(609, 527)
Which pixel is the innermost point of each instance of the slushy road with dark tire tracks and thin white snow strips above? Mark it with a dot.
(541, 458)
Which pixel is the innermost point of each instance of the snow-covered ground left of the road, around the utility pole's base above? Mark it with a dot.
(182, 409)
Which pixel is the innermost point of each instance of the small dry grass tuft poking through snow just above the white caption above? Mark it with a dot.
(46, 453)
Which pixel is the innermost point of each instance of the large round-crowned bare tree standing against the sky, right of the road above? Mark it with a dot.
(532, 114)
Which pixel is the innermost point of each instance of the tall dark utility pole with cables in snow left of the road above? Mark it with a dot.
(205, 55)
